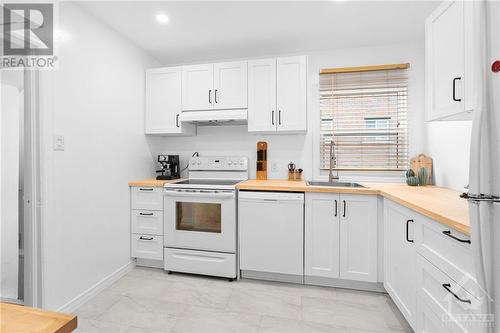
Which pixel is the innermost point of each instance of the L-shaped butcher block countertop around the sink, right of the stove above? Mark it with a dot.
(440, 204)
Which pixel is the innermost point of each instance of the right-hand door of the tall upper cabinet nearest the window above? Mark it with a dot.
(292, 93)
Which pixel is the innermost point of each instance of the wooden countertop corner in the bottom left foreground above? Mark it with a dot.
(22, 319)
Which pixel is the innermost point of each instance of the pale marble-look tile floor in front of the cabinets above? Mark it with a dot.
(149, 300)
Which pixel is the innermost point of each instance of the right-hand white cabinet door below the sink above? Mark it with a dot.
(358, 237)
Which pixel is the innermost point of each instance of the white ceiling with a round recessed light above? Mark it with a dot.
(203, 31)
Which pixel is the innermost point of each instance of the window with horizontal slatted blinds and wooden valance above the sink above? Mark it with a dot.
(364, 112)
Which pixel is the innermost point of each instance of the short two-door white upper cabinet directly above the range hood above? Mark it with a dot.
(214, 86)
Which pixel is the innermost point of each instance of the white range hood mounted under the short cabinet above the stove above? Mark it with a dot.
(215, 117)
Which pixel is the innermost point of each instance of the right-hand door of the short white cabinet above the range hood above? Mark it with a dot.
(230, 85)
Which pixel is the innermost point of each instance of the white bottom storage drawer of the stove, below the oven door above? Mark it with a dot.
(200, 262)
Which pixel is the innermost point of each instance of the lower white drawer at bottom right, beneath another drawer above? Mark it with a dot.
(432, 286)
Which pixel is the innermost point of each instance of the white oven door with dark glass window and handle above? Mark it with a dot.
(200, 219)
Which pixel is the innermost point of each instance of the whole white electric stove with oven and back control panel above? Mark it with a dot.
(200, 217)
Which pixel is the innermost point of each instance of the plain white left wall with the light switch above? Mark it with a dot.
(96, 101)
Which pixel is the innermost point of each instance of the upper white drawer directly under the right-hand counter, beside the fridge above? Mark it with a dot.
(447, 249)
